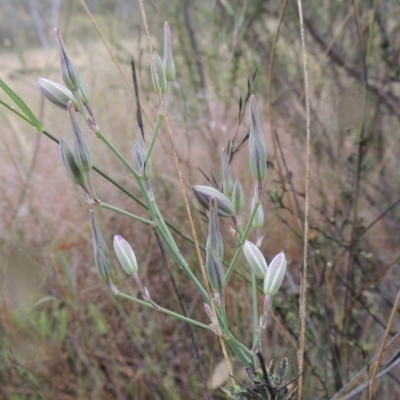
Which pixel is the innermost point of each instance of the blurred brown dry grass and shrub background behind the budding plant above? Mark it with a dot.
(62, 334)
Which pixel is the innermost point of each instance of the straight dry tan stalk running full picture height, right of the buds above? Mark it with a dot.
(303, 295)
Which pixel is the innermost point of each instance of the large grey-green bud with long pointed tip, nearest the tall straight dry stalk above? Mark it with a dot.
(257, 146)
